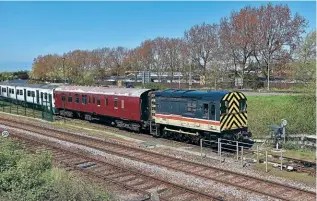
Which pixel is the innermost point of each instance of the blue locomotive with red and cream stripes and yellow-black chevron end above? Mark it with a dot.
(209, 115)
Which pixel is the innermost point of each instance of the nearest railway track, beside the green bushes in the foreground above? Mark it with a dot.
(129, 179)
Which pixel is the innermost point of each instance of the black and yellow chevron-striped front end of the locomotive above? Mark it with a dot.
(234, 118)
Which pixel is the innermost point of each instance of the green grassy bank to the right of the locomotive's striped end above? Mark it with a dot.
(298, 110)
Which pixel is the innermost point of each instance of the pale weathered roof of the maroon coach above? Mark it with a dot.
(132, 92)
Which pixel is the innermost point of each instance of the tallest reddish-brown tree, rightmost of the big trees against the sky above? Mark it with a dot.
(277, 32)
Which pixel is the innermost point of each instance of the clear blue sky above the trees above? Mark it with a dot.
(29, 29)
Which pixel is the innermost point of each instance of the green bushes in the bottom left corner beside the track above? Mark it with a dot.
(25, 176)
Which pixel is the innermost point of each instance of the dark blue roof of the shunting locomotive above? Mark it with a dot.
(204, 95)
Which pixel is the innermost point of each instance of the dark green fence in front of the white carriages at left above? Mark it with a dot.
(37, 109)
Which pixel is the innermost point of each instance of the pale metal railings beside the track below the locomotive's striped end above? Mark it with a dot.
(241, 152)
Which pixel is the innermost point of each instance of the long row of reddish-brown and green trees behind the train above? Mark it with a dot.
(261, 39)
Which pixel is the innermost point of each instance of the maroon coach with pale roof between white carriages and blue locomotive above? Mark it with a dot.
(123, 107)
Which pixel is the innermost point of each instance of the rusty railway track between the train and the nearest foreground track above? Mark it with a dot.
(237, 180)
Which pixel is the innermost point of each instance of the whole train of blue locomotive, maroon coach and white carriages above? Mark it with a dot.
(183, 114)
